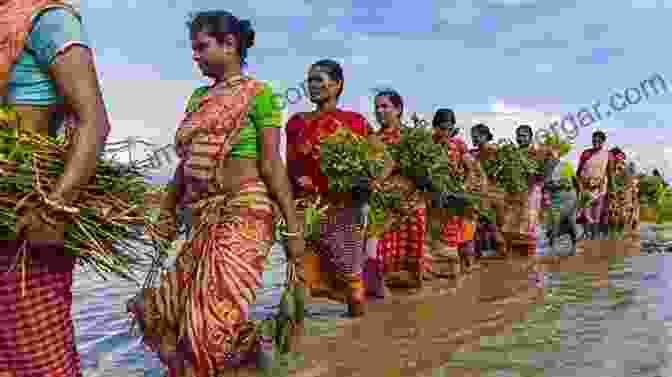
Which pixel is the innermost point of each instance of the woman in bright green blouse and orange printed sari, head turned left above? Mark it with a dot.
(231, 175)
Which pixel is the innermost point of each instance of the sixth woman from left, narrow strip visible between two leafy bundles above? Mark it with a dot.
(479, 183)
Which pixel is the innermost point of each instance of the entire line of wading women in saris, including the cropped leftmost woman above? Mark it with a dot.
(232, 180)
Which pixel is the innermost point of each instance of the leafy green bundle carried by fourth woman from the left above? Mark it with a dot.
(418, 156)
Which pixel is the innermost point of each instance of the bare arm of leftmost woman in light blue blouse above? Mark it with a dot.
(75, 75)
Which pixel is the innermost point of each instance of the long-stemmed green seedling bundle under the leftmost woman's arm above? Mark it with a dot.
(106, 228)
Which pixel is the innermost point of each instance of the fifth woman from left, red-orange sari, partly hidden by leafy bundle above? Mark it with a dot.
(456, 231)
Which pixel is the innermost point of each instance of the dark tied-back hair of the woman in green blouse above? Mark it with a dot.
(219, 24)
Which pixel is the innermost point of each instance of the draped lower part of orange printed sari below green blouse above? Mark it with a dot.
(202, 309)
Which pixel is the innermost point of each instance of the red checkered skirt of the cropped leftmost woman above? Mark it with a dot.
(36, 329)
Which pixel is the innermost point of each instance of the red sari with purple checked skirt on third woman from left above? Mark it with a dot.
(342, 244)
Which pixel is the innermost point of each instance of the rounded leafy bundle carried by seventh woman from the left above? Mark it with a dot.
(511, 168)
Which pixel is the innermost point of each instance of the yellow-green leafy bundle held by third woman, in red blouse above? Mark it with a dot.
(345, 155)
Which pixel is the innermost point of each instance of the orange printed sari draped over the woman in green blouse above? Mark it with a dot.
(198, 318)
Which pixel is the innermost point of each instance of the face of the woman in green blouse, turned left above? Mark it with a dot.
(212, 57)
